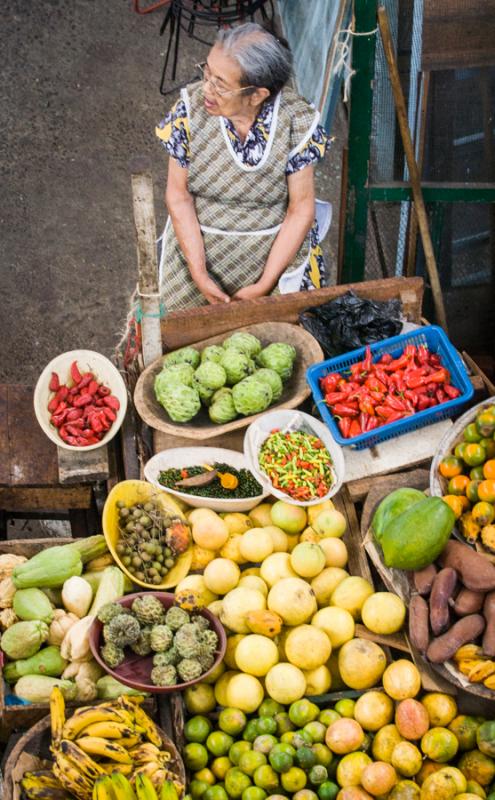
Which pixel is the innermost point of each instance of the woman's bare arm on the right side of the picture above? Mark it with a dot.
(298, 221)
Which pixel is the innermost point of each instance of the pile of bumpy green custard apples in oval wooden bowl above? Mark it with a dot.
(237, 378)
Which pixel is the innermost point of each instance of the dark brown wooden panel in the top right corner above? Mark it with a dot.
(458, 33)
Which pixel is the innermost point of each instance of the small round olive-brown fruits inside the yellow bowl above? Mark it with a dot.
(150, 540)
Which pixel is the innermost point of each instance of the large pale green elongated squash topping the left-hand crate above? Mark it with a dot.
(50, 567)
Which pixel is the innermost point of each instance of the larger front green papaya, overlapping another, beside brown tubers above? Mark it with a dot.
(416, 537)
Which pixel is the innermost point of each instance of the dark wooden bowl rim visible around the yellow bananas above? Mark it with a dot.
(37, 741)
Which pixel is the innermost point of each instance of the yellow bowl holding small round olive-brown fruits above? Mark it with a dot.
(132, 492)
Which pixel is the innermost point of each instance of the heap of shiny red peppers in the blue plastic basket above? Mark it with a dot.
(376, 393)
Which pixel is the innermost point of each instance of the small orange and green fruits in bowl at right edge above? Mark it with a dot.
(469, 474)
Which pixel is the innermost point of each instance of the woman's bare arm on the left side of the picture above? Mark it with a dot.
(180, 205)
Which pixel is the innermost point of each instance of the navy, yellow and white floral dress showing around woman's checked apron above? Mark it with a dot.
(174, 133)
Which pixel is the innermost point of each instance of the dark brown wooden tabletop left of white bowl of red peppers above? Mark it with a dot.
(33, 457)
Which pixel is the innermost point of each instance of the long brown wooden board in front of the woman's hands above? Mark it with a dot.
(186, 327)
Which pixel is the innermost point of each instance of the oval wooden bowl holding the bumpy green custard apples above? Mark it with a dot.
(296, 390)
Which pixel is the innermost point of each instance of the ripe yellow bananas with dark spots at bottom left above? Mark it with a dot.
(96, 744)
